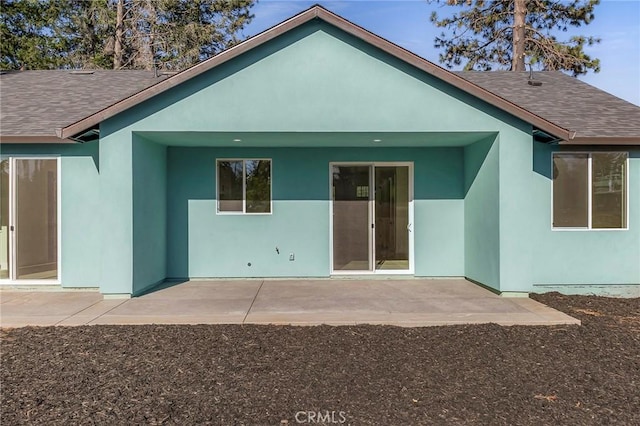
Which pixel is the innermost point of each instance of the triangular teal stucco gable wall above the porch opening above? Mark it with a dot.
(313, 79)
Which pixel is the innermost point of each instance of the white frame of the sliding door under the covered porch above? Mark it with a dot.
(371, 212)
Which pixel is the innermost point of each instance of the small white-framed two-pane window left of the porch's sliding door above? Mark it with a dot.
(243, 186)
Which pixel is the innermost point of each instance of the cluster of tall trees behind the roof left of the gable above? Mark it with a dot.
(134, 34)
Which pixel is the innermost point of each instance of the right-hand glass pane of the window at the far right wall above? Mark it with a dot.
(608, 196)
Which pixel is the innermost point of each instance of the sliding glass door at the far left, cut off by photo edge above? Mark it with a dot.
(29, 219)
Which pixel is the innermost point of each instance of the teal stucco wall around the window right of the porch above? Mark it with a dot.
(580, 261)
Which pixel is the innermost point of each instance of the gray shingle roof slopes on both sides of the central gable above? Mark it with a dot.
(35, 103)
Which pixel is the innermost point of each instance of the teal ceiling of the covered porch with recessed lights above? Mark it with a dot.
(316, 139)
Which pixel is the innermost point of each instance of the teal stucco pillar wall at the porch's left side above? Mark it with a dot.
(133, 212)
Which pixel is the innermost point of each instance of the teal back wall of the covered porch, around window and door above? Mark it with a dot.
(202, 243)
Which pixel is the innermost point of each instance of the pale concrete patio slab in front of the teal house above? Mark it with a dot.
(403, 302)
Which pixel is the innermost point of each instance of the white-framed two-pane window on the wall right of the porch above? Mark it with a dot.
(590, 190)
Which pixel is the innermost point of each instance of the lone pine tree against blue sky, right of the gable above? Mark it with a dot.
(508, 33)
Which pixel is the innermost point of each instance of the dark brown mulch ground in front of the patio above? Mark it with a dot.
(482, 374)
